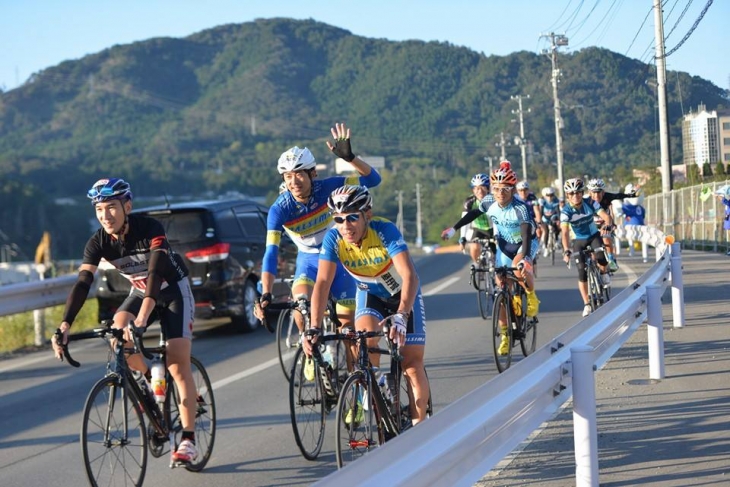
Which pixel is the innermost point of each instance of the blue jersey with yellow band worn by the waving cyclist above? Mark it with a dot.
(306, 223)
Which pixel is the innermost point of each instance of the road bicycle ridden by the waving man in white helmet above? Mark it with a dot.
(311, 400)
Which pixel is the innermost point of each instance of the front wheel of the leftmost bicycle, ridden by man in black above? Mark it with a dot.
(113, 436)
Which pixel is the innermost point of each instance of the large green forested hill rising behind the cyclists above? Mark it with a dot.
(213, 111)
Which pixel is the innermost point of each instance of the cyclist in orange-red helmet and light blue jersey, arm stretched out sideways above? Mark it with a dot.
(515, 232)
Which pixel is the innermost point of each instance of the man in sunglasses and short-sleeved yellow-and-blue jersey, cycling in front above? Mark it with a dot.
(374, 252)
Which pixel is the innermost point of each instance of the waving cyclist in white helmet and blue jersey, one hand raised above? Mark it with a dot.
(301, 211)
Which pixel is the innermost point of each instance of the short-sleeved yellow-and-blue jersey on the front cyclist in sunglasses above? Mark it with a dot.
(370, 264)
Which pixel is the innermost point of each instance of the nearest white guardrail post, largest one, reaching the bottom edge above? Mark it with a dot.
(585, 429)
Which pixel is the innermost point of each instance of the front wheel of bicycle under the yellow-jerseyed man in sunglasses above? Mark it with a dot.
(357, 424)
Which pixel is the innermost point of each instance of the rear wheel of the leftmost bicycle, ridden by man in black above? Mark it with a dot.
(205, 415)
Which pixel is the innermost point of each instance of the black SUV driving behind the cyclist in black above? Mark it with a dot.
(222, 243)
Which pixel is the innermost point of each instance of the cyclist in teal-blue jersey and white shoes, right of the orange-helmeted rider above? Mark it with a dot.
(578, 215)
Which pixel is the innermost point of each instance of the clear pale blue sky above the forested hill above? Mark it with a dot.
(37, 34)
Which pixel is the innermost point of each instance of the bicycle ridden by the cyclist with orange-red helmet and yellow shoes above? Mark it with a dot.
(510, 306)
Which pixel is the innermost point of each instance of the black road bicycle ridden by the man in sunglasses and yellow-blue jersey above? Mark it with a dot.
(371, 412)
